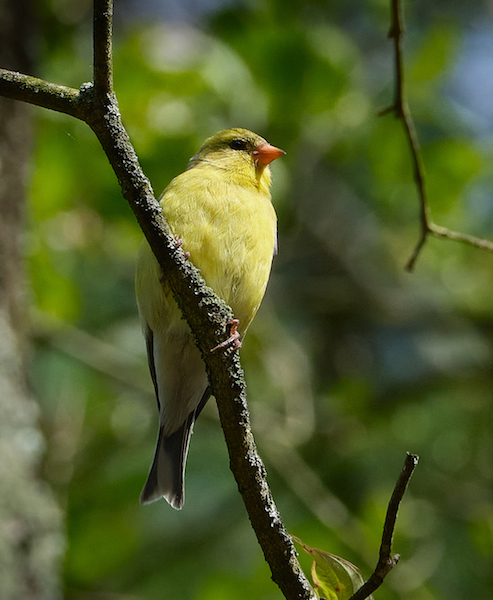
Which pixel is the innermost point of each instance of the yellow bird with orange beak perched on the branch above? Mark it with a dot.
(220, 209)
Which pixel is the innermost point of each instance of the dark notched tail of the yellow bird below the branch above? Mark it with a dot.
(168, 467)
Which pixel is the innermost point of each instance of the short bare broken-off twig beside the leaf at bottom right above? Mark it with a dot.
(386, 561)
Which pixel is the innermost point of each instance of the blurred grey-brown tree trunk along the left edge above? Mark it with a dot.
(31, 537)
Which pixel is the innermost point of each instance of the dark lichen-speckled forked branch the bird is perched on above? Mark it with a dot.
(205, 312)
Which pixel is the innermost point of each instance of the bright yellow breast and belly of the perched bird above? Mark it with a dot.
(229, 231)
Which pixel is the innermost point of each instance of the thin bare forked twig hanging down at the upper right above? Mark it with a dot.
(400, 108)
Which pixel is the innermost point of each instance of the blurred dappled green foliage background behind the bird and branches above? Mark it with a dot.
(351, 360)
